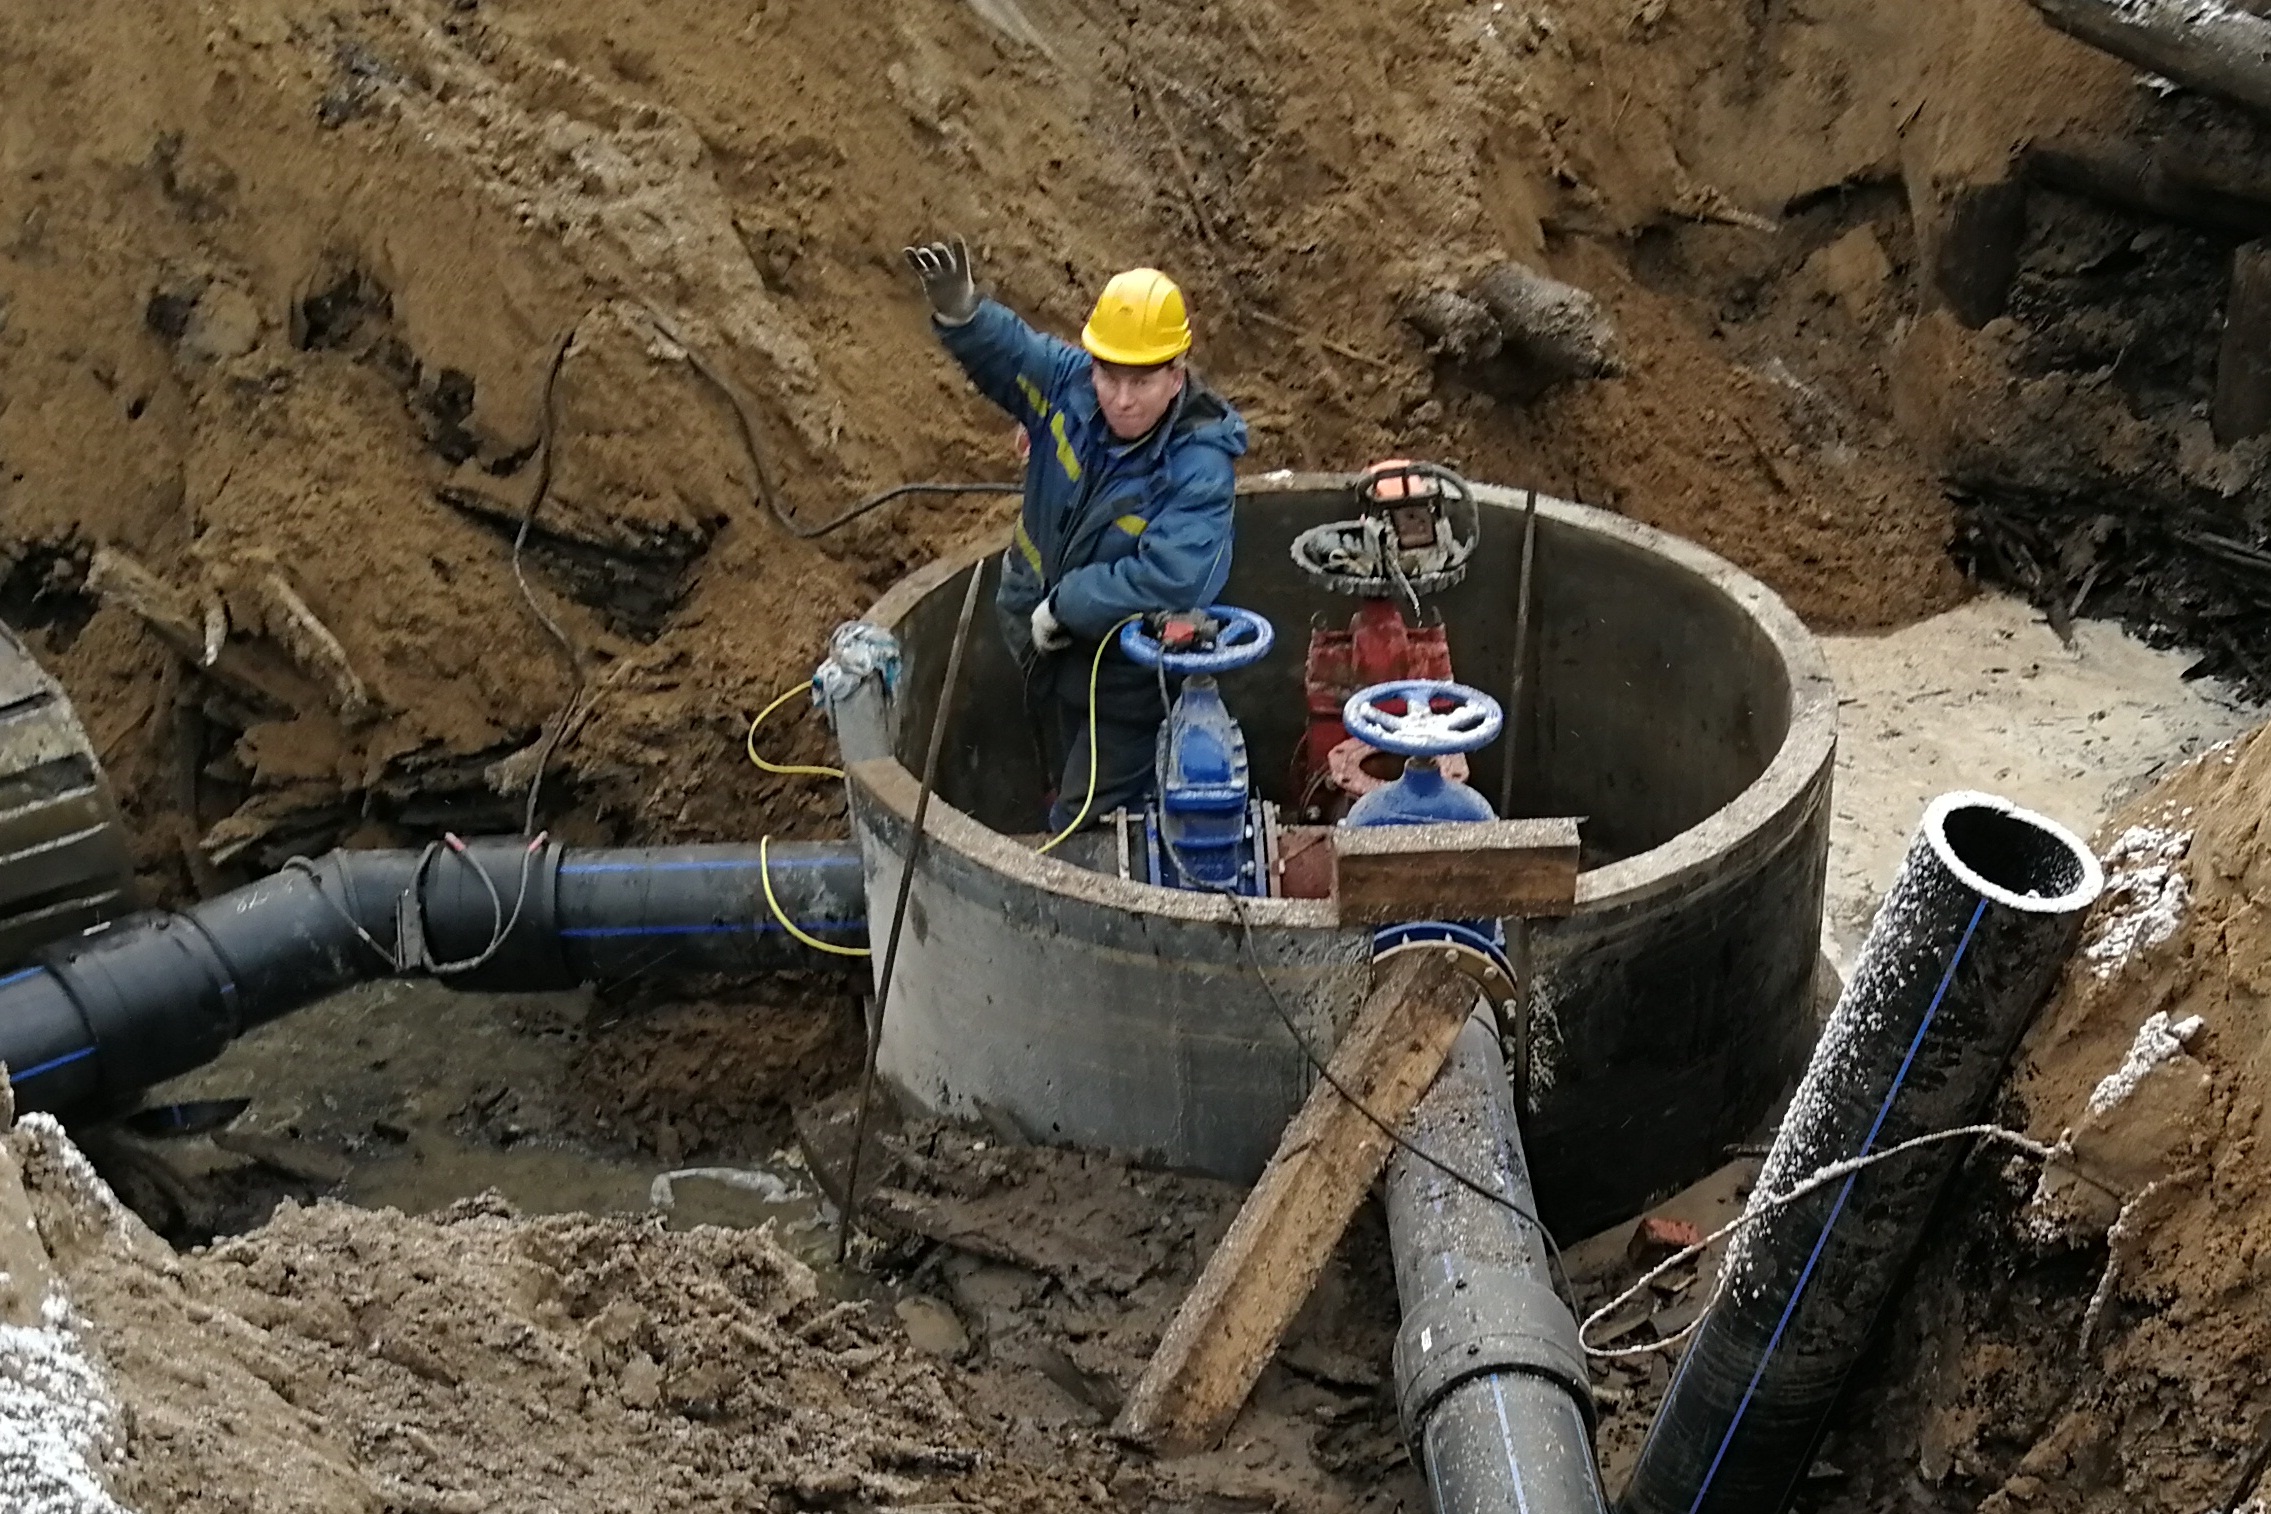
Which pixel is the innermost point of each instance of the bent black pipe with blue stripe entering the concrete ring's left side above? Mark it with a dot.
(101, 1018)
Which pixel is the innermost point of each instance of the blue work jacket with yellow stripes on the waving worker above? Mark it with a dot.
(1109, 528)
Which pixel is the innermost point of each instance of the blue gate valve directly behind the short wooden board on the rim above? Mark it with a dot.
(1425, 721)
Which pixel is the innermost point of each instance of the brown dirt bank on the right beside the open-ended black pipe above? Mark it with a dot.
(2000, 1390)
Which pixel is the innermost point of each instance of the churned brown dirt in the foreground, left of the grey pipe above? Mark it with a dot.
(360, 1361)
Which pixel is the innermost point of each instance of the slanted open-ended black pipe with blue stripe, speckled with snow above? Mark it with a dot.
(1963, 952)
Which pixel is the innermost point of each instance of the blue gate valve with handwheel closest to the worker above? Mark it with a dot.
(1202, 830)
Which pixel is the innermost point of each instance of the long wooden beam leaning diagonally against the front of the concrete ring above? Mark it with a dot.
(1277, 1247)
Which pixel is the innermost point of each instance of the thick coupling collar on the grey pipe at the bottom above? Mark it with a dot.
(1480, 1322)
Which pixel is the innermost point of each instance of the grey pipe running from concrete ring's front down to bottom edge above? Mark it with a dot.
(1489, 1368)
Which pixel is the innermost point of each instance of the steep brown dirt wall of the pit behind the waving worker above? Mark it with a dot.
(280, 280)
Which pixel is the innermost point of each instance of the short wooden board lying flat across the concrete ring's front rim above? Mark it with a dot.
(1486, 870)
